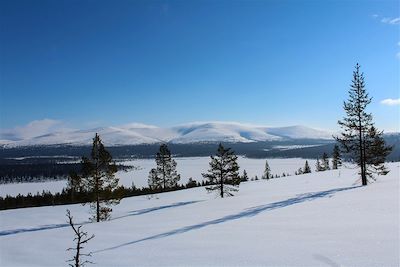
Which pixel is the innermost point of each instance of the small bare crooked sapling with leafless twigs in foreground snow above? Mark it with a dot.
(81, 238)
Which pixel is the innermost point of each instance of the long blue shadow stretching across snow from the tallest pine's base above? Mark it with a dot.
(250, 212)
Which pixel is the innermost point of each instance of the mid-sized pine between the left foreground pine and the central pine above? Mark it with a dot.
(164, 175)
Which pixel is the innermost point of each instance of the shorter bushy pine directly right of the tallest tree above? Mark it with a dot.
(376, 152)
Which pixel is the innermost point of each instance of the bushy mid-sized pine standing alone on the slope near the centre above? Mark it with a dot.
(224, 172)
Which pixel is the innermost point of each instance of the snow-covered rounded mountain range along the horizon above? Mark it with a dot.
(134, 134)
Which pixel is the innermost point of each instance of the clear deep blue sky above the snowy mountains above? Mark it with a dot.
(90, 63)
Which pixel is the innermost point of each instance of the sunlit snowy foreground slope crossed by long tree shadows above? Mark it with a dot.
(318, 219)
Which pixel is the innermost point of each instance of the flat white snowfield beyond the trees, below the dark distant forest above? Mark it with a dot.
(187, 167)
